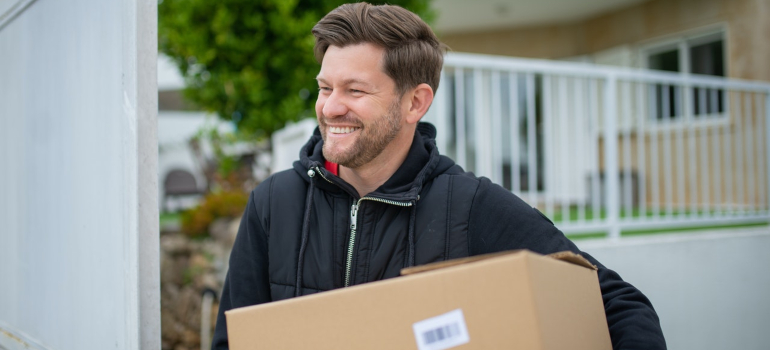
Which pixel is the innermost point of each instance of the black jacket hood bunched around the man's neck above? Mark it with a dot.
(422, 164)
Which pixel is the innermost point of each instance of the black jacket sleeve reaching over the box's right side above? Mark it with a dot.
(632, 321)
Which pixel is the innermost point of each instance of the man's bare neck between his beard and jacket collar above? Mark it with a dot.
(370, 176)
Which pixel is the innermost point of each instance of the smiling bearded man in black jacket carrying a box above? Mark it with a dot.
(370, 193)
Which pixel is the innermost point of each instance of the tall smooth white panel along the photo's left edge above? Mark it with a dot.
(78, 186)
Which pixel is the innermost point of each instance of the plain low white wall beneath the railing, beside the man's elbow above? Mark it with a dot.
(710, 289)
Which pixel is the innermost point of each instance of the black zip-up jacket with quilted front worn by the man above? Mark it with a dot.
(295, 236)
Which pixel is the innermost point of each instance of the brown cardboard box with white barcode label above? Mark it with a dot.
(518, 300)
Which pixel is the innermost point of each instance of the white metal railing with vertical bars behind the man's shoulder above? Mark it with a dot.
(603, 149)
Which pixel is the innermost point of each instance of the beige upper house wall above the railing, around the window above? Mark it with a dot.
(748, 31)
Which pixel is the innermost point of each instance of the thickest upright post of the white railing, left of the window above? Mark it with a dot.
(611, 172)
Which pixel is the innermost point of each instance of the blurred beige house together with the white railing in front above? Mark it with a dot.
(601, 141)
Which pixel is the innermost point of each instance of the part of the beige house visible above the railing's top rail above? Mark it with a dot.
(714, 37)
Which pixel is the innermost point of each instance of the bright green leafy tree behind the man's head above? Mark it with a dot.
(250, 61)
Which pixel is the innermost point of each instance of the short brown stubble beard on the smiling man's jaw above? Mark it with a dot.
(371, 142)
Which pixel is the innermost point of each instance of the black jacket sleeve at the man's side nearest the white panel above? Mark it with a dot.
(247, 277)
